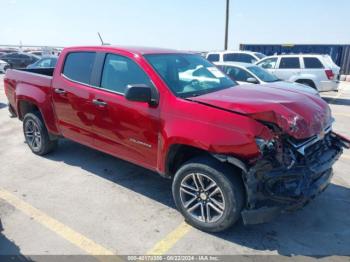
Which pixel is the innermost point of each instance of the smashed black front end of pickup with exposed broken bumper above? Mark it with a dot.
(289, 174)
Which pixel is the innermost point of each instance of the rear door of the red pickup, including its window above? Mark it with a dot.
(73, 95)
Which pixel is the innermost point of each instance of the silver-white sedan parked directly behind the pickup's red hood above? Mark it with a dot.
(245, 73)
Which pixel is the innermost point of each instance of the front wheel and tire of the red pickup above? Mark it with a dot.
(209, 194)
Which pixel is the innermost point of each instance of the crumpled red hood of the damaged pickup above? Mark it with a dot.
(297, 113)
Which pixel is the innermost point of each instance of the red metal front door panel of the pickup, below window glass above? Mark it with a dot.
(126, 129)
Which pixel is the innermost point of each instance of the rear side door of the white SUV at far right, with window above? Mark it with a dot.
(288, 67)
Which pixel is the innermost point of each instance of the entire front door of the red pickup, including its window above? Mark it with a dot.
(124, 128)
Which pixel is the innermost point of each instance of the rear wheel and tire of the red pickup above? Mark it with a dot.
(36, 134)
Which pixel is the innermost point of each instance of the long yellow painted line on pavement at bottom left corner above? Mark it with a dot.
(60, 229)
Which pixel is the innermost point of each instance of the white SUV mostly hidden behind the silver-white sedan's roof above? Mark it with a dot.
(234, 56)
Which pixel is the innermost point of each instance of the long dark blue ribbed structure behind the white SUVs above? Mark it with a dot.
(339, 53)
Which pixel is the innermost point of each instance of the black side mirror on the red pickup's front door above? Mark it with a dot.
(140, 93)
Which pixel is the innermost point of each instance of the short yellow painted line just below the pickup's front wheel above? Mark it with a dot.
(170, 240)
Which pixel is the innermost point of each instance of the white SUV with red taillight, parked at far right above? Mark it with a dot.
(317, 71)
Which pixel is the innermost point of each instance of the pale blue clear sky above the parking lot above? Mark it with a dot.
(180, 24)
